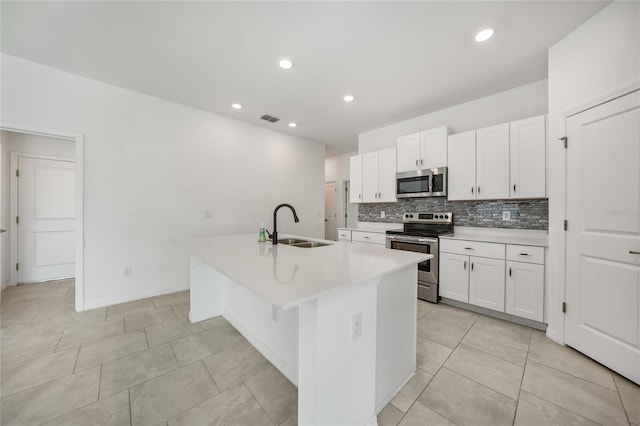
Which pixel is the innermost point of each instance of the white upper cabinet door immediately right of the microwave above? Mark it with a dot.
(461, 153)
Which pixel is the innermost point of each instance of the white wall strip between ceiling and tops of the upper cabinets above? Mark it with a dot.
(522, 102)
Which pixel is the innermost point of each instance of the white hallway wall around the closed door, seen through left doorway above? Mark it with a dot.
(24, 143)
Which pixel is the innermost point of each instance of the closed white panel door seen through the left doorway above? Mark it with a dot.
(46, 226)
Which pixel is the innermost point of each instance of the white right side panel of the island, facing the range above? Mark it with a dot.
(396, 342)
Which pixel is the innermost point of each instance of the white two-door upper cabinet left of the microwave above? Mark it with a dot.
(373, 177)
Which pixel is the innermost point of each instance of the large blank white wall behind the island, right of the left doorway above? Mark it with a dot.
(151, 170)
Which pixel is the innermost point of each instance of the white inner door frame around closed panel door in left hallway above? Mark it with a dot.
(13, 206)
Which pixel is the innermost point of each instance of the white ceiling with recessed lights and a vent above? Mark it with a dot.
(399, 59)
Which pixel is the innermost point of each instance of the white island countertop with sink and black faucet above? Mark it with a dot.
(289, 276)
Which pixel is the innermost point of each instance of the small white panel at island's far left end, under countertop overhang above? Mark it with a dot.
(206, 291)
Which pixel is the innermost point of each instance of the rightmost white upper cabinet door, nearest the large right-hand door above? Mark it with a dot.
(528, 152)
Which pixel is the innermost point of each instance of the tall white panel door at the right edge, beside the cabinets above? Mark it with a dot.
(603, 237)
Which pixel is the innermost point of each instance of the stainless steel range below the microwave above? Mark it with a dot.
(420, 234)
